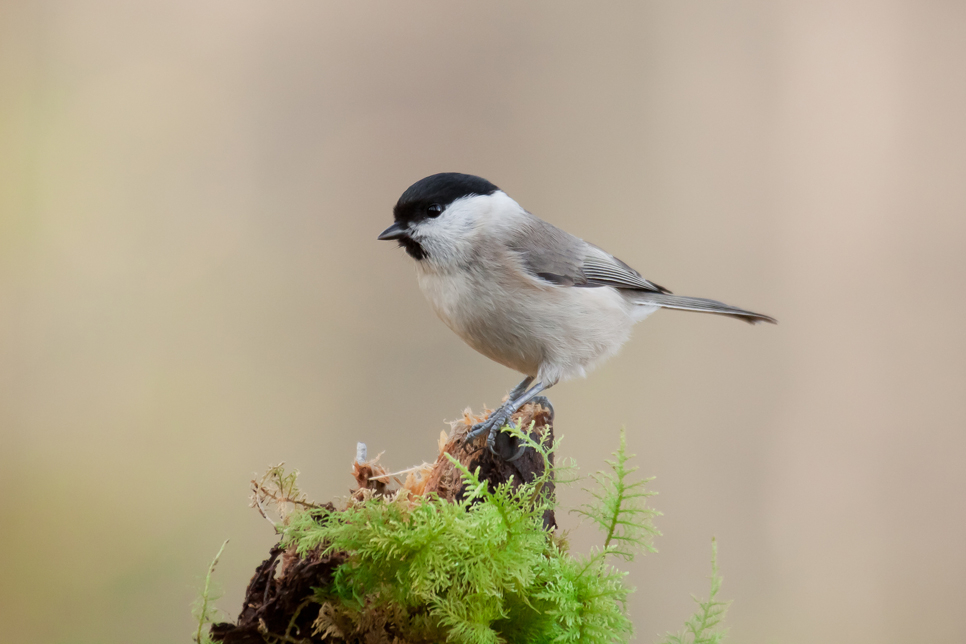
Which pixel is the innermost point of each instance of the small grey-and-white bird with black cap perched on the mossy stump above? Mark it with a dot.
(521, 291)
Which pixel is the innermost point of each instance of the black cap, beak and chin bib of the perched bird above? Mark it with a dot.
(427, 199)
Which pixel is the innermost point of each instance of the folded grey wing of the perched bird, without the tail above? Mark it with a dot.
(560, 258)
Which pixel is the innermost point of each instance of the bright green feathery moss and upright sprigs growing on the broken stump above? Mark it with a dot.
(484, 569)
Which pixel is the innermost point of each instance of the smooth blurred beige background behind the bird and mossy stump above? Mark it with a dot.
(191, 289)
